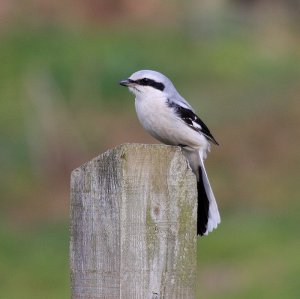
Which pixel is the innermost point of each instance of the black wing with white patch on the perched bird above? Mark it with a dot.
(192, 120)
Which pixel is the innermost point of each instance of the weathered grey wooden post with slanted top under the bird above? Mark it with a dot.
(133, 225)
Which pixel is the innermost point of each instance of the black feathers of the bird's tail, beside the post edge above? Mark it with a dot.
(203, 206)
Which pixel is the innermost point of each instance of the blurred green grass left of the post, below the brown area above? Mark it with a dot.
(34, 262)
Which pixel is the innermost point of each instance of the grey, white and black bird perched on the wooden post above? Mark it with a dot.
(169, 118)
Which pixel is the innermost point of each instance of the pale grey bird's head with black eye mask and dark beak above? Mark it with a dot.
(147, 83)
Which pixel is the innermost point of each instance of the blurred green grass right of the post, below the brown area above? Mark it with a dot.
(251, 256)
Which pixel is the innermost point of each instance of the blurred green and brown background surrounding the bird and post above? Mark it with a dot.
(237, 62)
